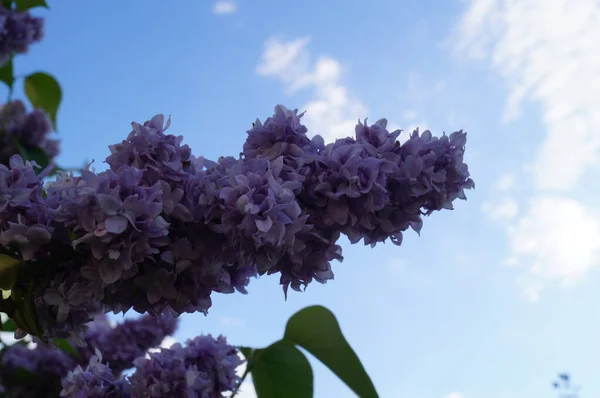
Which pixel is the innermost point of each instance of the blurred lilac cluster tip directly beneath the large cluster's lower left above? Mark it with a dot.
(131, 339)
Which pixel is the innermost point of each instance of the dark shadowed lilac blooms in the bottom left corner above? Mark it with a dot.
(46, 366)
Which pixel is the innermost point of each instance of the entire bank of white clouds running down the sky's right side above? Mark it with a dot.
(545, 51)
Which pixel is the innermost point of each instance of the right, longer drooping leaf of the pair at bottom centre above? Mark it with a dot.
(317, 331)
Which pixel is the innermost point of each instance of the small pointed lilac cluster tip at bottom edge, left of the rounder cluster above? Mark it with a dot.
(95, 381)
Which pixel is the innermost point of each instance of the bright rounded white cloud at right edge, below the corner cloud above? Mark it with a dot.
(558, 240)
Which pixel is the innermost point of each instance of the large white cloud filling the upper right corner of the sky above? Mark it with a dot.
(546, 51)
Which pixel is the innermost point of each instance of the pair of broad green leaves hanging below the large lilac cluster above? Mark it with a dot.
(281, 370)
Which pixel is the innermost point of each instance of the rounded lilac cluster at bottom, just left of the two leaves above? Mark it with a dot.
(204, 368)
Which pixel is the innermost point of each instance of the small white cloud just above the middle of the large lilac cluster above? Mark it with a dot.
(333, 111)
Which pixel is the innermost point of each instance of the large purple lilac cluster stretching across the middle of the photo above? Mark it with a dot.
(162, 229)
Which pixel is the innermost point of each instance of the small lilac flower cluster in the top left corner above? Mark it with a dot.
(18, 30)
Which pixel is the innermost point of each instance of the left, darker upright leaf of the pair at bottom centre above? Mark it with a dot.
(281, 371)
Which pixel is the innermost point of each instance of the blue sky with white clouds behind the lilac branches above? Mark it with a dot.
(495, 297)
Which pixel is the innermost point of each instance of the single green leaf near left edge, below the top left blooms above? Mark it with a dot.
(43, 91)
